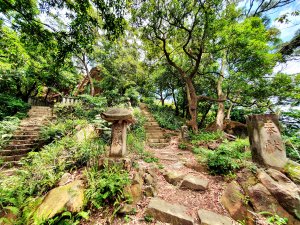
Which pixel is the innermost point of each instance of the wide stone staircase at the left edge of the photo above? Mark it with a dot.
(26, 137)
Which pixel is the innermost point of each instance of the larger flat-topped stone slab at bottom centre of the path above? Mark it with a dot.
(168, 213)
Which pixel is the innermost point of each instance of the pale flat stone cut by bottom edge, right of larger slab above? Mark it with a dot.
(211, 218)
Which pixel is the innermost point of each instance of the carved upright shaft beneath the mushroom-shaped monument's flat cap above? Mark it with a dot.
(118, 139)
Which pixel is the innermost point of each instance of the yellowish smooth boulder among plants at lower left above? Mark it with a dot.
(69, 197)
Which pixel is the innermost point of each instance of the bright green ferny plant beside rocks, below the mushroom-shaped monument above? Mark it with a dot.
(106, 186)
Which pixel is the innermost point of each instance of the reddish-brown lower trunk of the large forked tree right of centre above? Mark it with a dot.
(193, 102)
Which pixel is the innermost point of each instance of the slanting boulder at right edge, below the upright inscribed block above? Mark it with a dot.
(283, 189)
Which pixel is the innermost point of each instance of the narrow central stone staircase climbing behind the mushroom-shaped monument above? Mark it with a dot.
(154, 133)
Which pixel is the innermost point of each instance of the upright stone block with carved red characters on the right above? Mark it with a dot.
(266, 143)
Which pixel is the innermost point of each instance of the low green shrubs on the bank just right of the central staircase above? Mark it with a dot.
(165, 116)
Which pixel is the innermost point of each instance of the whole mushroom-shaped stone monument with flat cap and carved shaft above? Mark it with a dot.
(120, 119)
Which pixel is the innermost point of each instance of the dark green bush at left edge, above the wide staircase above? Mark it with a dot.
(10, 106)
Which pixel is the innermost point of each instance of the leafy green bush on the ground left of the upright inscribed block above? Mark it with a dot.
(228, 157)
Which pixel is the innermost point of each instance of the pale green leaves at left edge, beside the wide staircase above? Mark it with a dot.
(7, 127)
